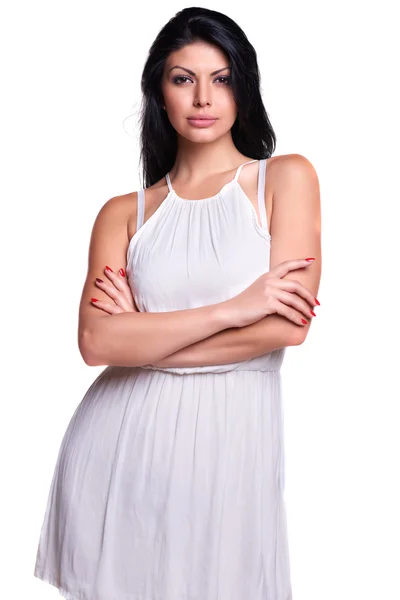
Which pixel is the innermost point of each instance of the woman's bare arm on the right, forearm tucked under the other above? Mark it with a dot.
(295, 232)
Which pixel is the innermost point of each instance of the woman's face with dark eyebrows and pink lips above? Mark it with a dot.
(196, 82)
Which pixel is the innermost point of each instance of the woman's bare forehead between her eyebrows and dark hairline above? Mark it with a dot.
(197, 56)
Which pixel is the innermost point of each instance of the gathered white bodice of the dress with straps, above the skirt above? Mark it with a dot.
(192, 253)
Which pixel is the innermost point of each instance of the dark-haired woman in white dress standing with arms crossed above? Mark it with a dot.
(169, 482)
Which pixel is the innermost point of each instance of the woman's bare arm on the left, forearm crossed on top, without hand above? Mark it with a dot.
(133, 338)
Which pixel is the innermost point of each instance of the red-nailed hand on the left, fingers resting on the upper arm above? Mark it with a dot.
(117, 288)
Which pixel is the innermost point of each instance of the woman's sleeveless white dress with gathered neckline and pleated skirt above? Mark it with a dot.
(169, 482)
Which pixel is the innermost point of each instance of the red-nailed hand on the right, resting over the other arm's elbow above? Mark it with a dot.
(270, 294)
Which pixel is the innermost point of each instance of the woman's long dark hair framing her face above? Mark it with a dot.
(252, 131)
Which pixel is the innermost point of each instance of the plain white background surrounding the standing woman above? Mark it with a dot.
(70, 81)
